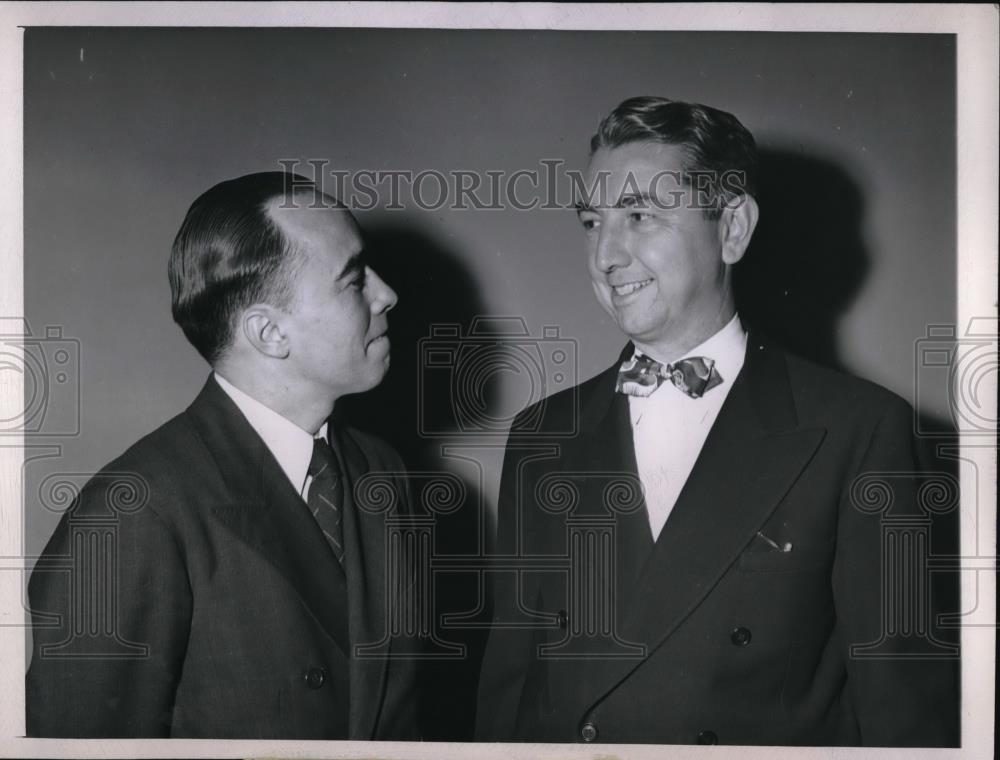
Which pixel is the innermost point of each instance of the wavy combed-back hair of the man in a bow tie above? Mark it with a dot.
(721, 152)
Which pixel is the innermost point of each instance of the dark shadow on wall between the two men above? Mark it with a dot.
(434, 287)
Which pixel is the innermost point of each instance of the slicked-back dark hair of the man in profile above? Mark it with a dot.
(230, 254)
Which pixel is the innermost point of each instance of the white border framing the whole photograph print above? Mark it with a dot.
(976, 31)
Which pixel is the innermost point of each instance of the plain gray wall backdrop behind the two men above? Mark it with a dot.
(125, 127)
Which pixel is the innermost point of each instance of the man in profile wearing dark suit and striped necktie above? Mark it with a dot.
(243, 588)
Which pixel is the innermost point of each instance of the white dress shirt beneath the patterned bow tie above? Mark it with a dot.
(669, 427)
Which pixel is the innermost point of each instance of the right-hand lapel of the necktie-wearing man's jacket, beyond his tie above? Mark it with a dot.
(365, 559)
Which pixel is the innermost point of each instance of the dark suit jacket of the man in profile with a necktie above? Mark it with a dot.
(226, 594)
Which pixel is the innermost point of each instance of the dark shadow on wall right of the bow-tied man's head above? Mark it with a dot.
(807, 259)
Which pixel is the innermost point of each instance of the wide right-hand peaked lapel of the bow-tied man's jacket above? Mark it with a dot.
(751, 458)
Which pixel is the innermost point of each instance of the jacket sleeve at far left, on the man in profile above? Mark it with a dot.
(111, 607)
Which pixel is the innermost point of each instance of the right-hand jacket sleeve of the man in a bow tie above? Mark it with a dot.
(902, 679)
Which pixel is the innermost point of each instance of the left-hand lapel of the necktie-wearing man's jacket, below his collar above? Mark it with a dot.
(265, 512)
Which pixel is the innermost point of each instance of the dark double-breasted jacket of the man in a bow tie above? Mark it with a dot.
(744, 643)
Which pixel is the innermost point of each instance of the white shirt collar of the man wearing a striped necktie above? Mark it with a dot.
(290, 445)
